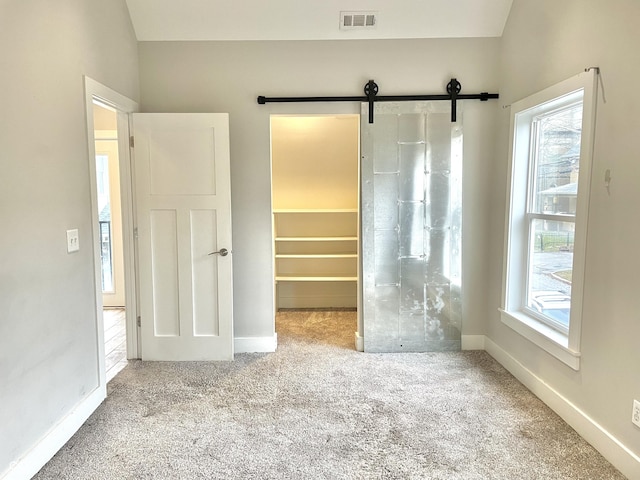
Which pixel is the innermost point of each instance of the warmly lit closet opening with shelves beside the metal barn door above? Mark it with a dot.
(315, 210)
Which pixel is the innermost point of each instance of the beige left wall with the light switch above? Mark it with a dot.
(48, 356)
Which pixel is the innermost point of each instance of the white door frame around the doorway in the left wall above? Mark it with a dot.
(124, 107)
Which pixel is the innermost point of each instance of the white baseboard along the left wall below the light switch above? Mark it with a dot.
(32, 461)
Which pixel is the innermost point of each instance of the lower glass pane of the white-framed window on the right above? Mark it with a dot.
(550, 269)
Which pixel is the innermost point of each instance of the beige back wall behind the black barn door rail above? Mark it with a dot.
(227, 77)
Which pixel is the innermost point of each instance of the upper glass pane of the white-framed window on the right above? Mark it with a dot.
(557, 154)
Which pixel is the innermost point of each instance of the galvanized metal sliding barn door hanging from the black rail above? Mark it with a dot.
(411, 227)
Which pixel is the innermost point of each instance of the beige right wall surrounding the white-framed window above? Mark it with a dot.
(545, 42)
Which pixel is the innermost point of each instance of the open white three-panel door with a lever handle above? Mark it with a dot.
(182, 177)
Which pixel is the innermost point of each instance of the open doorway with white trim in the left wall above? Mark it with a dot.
(113, 235)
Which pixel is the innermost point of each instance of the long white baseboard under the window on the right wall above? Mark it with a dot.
(610, 447)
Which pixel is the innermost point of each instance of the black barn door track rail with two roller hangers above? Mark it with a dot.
(454, 87)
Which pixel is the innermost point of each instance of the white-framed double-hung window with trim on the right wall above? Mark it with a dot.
(551, 146)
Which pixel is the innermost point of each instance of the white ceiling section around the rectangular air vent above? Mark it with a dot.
(314, 19)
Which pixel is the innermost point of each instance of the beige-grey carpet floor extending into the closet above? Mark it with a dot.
(317, 409)
